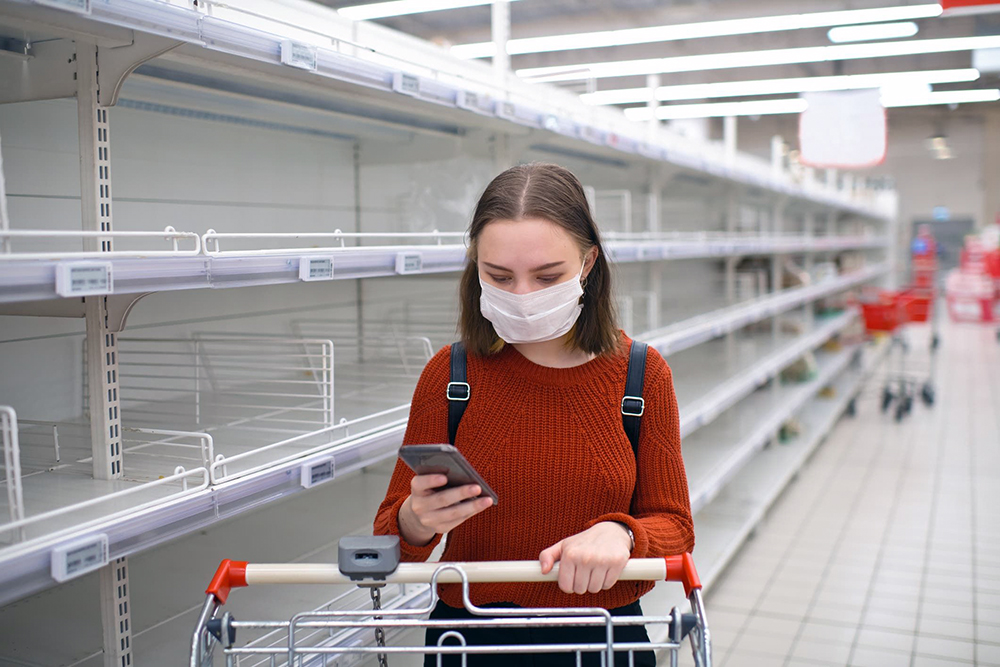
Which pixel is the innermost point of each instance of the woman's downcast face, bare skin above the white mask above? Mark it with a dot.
(522, 256)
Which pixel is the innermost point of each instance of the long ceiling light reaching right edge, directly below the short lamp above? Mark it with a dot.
(715, 61)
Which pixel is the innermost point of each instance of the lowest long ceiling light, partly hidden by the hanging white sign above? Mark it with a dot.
(917, 98)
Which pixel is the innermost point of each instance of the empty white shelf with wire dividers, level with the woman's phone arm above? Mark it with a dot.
(263, 453)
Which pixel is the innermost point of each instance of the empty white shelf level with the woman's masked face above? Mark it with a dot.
(35, 280)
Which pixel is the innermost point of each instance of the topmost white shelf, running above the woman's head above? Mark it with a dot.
(369, 71)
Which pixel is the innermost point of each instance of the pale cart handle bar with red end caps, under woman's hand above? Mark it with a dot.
(234, 574)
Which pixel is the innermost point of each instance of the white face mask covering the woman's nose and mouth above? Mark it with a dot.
(534, 317)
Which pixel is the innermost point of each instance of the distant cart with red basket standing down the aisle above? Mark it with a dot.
(886, 313)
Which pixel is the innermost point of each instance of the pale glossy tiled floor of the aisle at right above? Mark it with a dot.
(886, 549)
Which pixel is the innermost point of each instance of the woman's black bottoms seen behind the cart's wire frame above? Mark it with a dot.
(523, 636)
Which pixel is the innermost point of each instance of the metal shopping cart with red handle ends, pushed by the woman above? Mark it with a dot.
(339, 630)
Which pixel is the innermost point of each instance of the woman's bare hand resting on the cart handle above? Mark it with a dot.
(591, 561)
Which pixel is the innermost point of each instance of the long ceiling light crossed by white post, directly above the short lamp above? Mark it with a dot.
(729, 27)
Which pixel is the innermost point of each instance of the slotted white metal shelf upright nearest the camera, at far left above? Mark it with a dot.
(102, 341)
